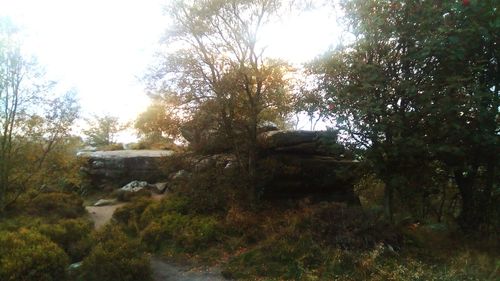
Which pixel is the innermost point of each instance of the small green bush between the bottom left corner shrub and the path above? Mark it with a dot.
(72, 235)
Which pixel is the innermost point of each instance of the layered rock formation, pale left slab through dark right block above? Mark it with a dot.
(293, 164)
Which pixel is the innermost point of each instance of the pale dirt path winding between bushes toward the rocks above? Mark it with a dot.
(162, 270)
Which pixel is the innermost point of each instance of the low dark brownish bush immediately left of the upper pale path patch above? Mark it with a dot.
(55, 205)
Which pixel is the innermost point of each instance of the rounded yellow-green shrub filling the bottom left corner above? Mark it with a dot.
(28, 255)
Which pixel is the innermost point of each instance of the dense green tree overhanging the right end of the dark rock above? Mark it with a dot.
(373, 85)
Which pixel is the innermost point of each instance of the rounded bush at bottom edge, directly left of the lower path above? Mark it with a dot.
(115, 257)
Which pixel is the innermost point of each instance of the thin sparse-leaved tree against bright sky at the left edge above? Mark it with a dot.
(32, 122)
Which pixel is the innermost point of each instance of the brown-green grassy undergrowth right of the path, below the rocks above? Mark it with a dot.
(304, 241)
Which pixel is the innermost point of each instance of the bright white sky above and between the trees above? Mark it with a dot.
(101, 48)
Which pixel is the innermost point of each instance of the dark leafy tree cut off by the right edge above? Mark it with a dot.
(463, 112)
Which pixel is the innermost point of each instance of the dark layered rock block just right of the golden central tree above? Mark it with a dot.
(297, 164)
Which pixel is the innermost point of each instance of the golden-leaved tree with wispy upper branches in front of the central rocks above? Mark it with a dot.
(217, 59)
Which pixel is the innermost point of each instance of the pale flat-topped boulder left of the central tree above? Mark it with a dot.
(122, 166)
